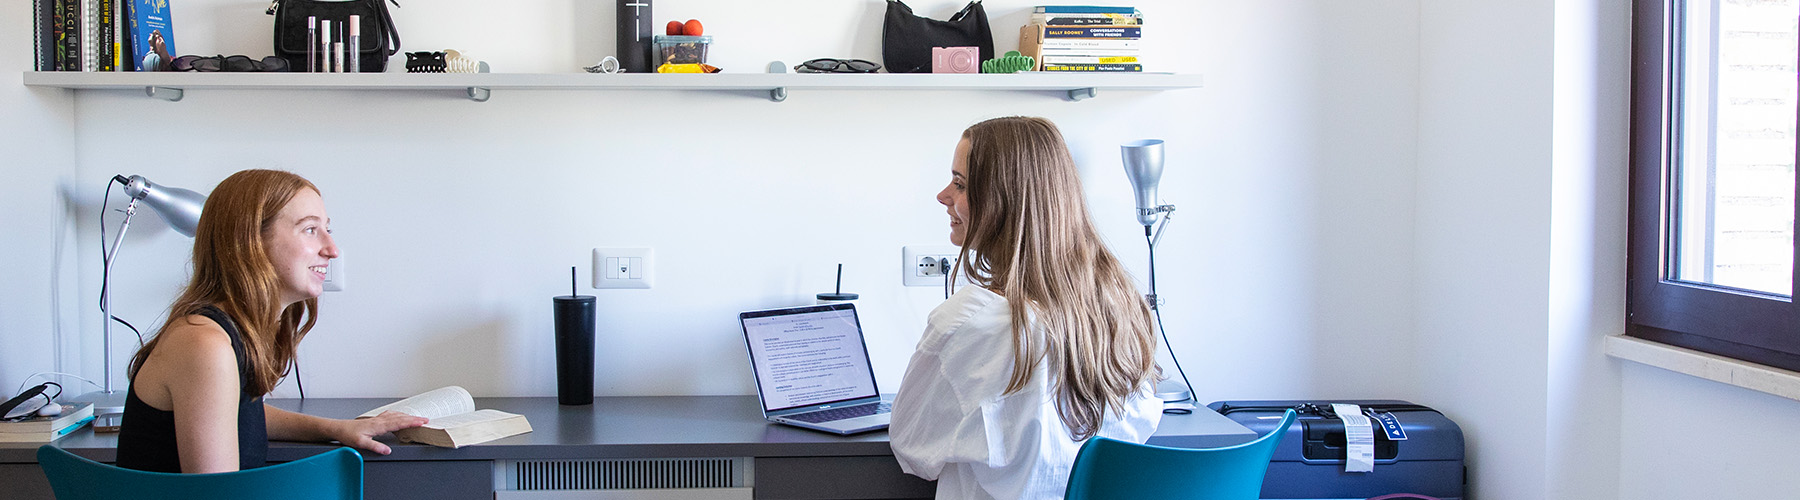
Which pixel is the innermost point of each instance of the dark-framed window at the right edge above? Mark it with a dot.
(1713, 177)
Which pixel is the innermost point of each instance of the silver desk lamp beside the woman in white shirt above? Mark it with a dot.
(1144, 166)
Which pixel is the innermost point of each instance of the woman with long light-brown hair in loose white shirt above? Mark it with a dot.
(1050, 348)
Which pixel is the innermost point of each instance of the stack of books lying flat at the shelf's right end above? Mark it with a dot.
(1084, 39)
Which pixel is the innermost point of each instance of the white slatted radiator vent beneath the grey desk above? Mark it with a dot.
(627, 474)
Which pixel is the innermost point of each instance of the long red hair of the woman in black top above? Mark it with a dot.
(233, 272)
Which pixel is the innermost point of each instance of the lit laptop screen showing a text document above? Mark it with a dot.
(809, 355)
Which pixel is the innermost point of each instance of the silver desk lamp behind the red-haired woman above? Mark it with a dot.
(177, 206)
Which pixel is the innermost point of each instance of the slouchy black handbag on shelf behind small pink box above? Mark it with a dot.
(908, 39)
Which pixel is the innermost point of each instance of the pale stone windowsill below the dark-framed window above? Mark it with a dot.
(1713, 368)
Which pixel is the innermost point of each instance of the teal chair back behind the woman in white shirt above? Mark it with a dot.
(1111, 469)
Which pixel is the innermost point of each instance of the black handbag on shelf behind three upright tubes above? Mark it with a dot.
(379, 42)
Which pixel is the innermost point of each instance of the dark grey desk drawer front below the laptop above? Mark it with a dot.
(838, 478)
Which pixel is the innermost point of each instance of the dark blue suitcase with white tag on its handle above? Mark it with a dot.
(1309, 463)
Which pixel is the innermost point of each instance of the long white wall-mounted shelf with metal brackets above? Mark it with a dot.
(478, 87)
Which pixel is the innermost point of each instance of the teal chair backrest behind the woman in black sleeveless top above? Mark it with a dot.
(332, 476)
